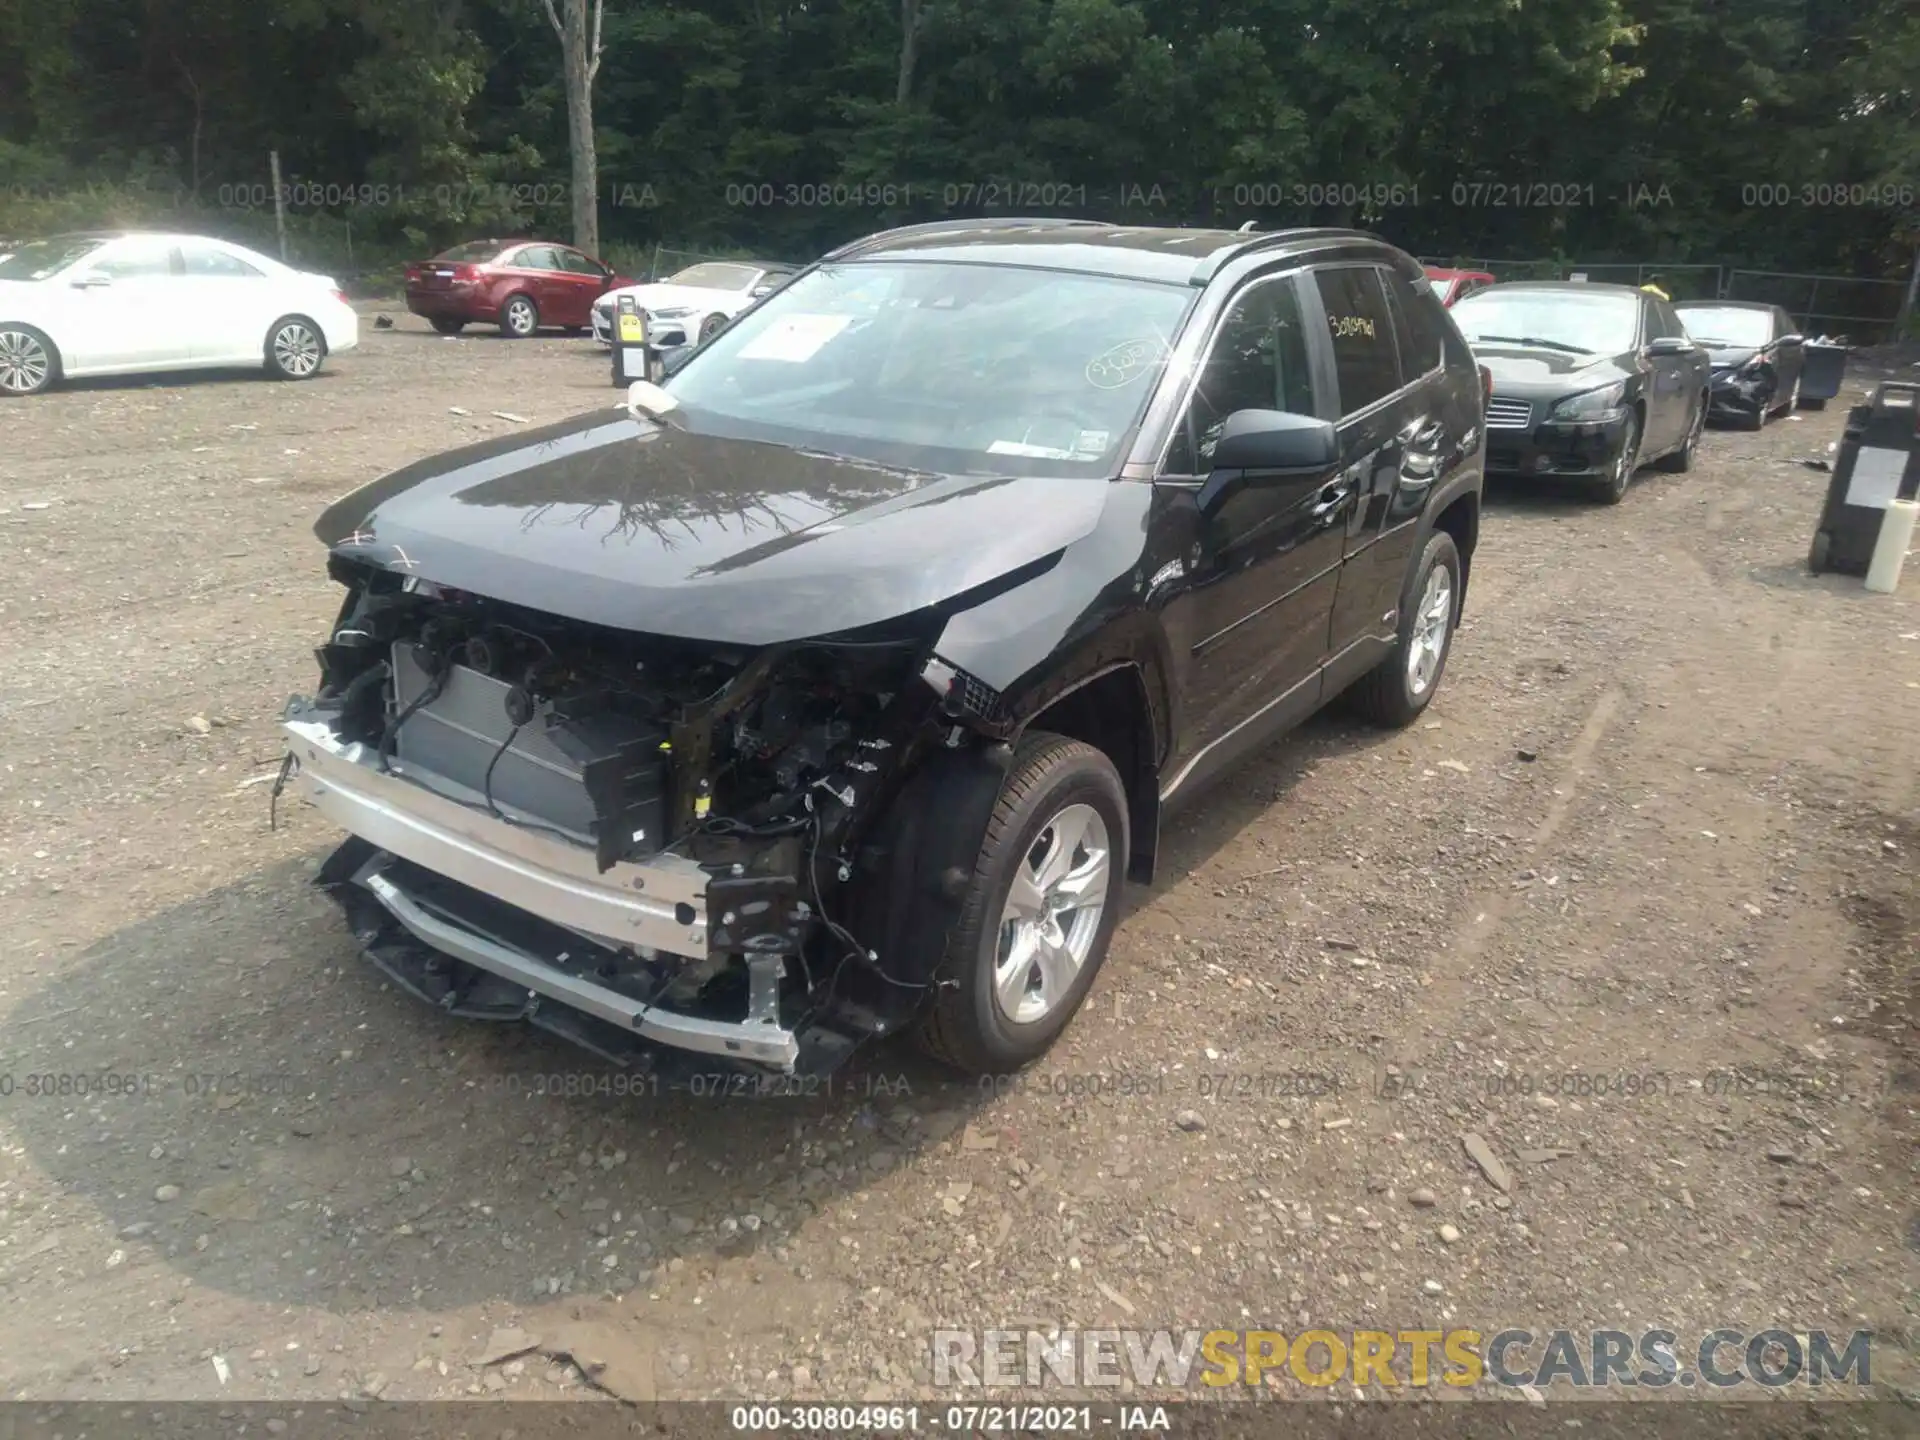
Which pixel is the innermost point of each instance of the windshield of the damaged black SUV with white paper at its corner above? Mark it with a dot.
(982, 370)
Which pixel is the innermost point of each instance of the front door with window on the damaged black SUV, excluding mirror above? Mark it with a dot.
(1266, 548)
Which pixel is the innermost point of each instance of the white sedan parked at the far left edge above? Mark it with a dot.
(126, 304)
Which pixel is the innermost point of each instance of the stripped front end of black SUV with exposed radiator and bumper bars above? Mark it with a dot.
(646, 846)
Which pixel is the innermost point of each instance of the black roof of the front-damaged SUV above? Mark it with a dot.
(1145, 252)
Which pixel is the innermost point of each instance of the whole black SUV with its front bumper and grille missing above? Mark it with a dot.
(840, 684)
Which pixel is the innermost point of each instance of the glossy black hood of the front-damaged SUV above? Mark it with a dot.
(644, 527)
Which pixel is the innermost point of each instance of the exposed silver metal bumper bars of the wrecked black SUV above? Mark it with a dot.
(527, 909)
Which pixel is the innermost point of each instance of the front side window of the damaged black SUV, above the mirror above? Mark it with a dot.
(1259, 364)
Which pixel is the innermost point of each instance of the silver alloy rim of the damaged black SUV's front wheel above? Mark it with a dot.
(1053, 915)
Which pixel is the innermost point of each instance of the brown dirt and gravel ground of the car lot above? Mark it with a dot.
(1662, 823)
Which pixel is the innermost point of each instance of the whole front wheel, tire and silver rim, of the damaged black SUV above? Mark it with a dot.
(1038, 915)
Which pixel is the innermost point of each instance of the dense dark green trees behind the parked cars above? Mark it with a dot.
(1760, 132)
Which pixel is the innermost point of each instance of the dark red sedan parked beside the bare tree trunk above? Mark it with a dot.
(517, 285)
